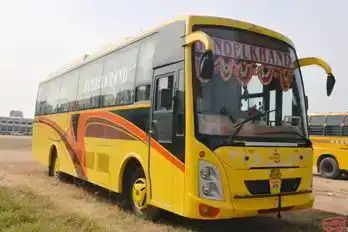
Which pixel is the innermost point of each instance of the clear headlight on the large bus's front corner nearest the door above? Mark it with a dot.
(210, 186)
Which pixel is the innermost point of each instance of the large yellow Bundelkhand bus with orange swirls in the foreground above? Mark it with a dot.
(204, 117)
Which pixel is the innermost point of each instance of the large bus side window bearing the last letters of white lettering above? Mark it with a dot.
(118, 78)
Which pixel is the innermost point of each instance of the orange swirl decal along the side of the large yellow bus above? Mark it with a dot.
(103, 124)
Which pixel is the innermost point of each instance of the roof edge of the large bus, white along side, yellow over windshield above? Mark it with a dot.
(188, 18)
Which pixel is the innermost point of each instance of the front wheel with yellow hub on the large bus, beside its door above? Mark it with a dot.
(137, 197)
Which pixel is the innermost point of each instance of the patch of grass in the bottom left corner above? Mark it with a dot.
(21, 210)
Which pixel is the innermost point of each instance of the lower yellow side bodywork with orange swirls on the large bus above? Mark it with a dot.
(100, 141)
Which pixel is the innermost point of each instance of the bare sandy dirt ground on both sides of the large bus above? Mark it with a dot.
(17, 167)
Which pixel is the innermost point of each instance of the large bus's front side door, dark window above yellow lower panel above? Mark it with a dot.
(167, 128)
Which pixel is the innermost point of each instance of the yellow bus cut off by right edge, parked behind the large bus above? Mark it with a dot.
(329, 135)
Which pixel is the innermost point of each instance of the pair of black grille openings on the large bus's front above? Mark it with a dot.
(257, 187)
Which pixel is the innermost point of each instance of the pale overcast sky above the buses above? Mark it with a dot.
(37, 37)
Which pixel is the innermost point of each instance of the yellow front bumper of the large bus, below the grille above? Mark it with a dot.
(247, 206)
